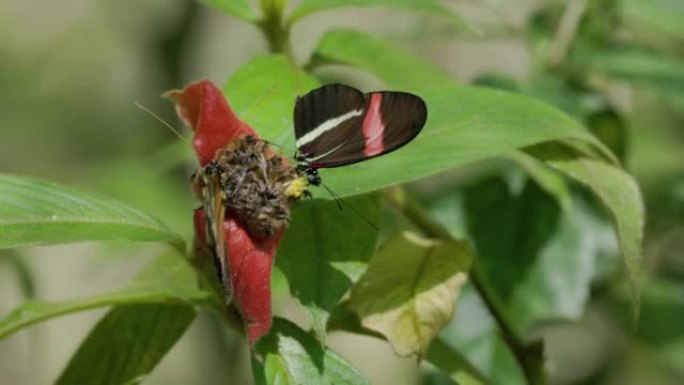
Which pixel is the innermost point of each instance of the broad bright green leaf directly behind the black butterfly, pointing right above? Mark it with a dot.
(464, 125)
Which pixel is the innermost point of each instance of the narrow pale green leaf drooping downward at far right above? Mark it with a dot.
(619, 193)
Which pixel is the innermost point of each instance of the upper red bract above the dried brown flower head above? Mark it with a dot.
(203, 108)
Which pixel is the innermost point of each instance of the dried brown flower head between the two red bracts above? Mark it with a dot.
(256, 185)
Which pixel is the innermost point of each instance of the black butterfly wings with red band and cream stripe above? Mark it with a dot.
(337, 125)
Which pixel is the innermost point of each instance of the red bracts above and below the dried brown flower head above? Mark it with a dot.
(203, 107)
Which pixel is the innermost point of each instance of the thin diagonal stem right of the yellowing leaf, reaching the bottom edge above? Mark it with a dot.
(528, 355)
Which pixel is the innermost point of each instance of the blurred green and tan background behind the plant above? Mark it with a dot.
(71, 71)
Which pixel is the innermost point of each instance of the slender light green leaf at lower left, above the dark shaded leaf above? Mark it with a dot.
(169, 279)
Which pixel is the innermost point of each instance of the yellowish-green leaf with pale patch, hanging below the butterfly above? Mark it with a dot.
(409, 291)
